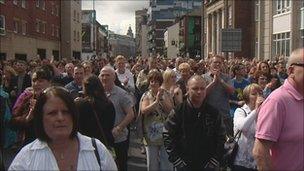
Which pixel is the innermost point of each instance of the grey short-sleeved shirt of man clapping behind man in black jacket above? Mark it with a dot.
(218, 97)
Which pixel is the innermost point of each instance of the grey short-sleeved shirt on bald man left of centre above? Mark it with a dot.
(121, 100)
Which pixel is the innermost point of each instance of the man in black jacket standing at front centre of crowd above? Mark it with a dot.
(194, 133)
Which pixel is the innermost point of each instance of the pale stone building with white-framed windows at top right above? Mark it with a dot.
(279, 28)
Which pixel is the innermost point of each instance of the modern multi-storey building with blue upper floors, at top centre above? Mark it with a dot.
(162, 14)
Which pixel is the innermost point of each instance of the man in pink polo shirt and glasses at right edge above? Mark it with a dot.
(280, 131)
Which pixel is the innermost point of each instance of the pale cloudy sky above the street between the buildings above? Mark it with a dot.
(119, 15)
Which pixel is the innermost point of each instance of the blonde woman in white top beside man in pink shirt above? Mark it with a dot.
(245, 121)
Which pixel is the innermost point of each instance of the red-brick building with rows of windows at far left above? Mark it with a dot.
(29, 29)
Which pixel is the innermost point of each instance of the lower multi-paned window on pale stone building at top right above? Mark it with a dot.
(281, 43)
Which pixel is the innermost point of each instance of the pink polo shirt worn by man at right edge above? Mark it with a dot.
(281, 120)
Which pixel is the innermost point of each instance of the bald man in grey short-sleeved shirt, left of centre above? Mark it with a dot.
(124, 114)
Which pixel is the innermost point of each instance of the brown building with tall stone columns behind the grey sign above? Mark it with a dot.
(222, 14)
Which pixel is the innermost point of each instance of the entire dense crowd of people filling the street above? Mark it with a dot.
(76, 115)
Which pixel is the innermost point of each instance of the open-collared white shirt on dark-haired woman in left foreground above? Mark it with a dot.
(38, 156)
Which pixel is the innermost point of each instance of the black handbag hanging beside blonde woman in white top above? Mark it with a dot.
(231, 148)
